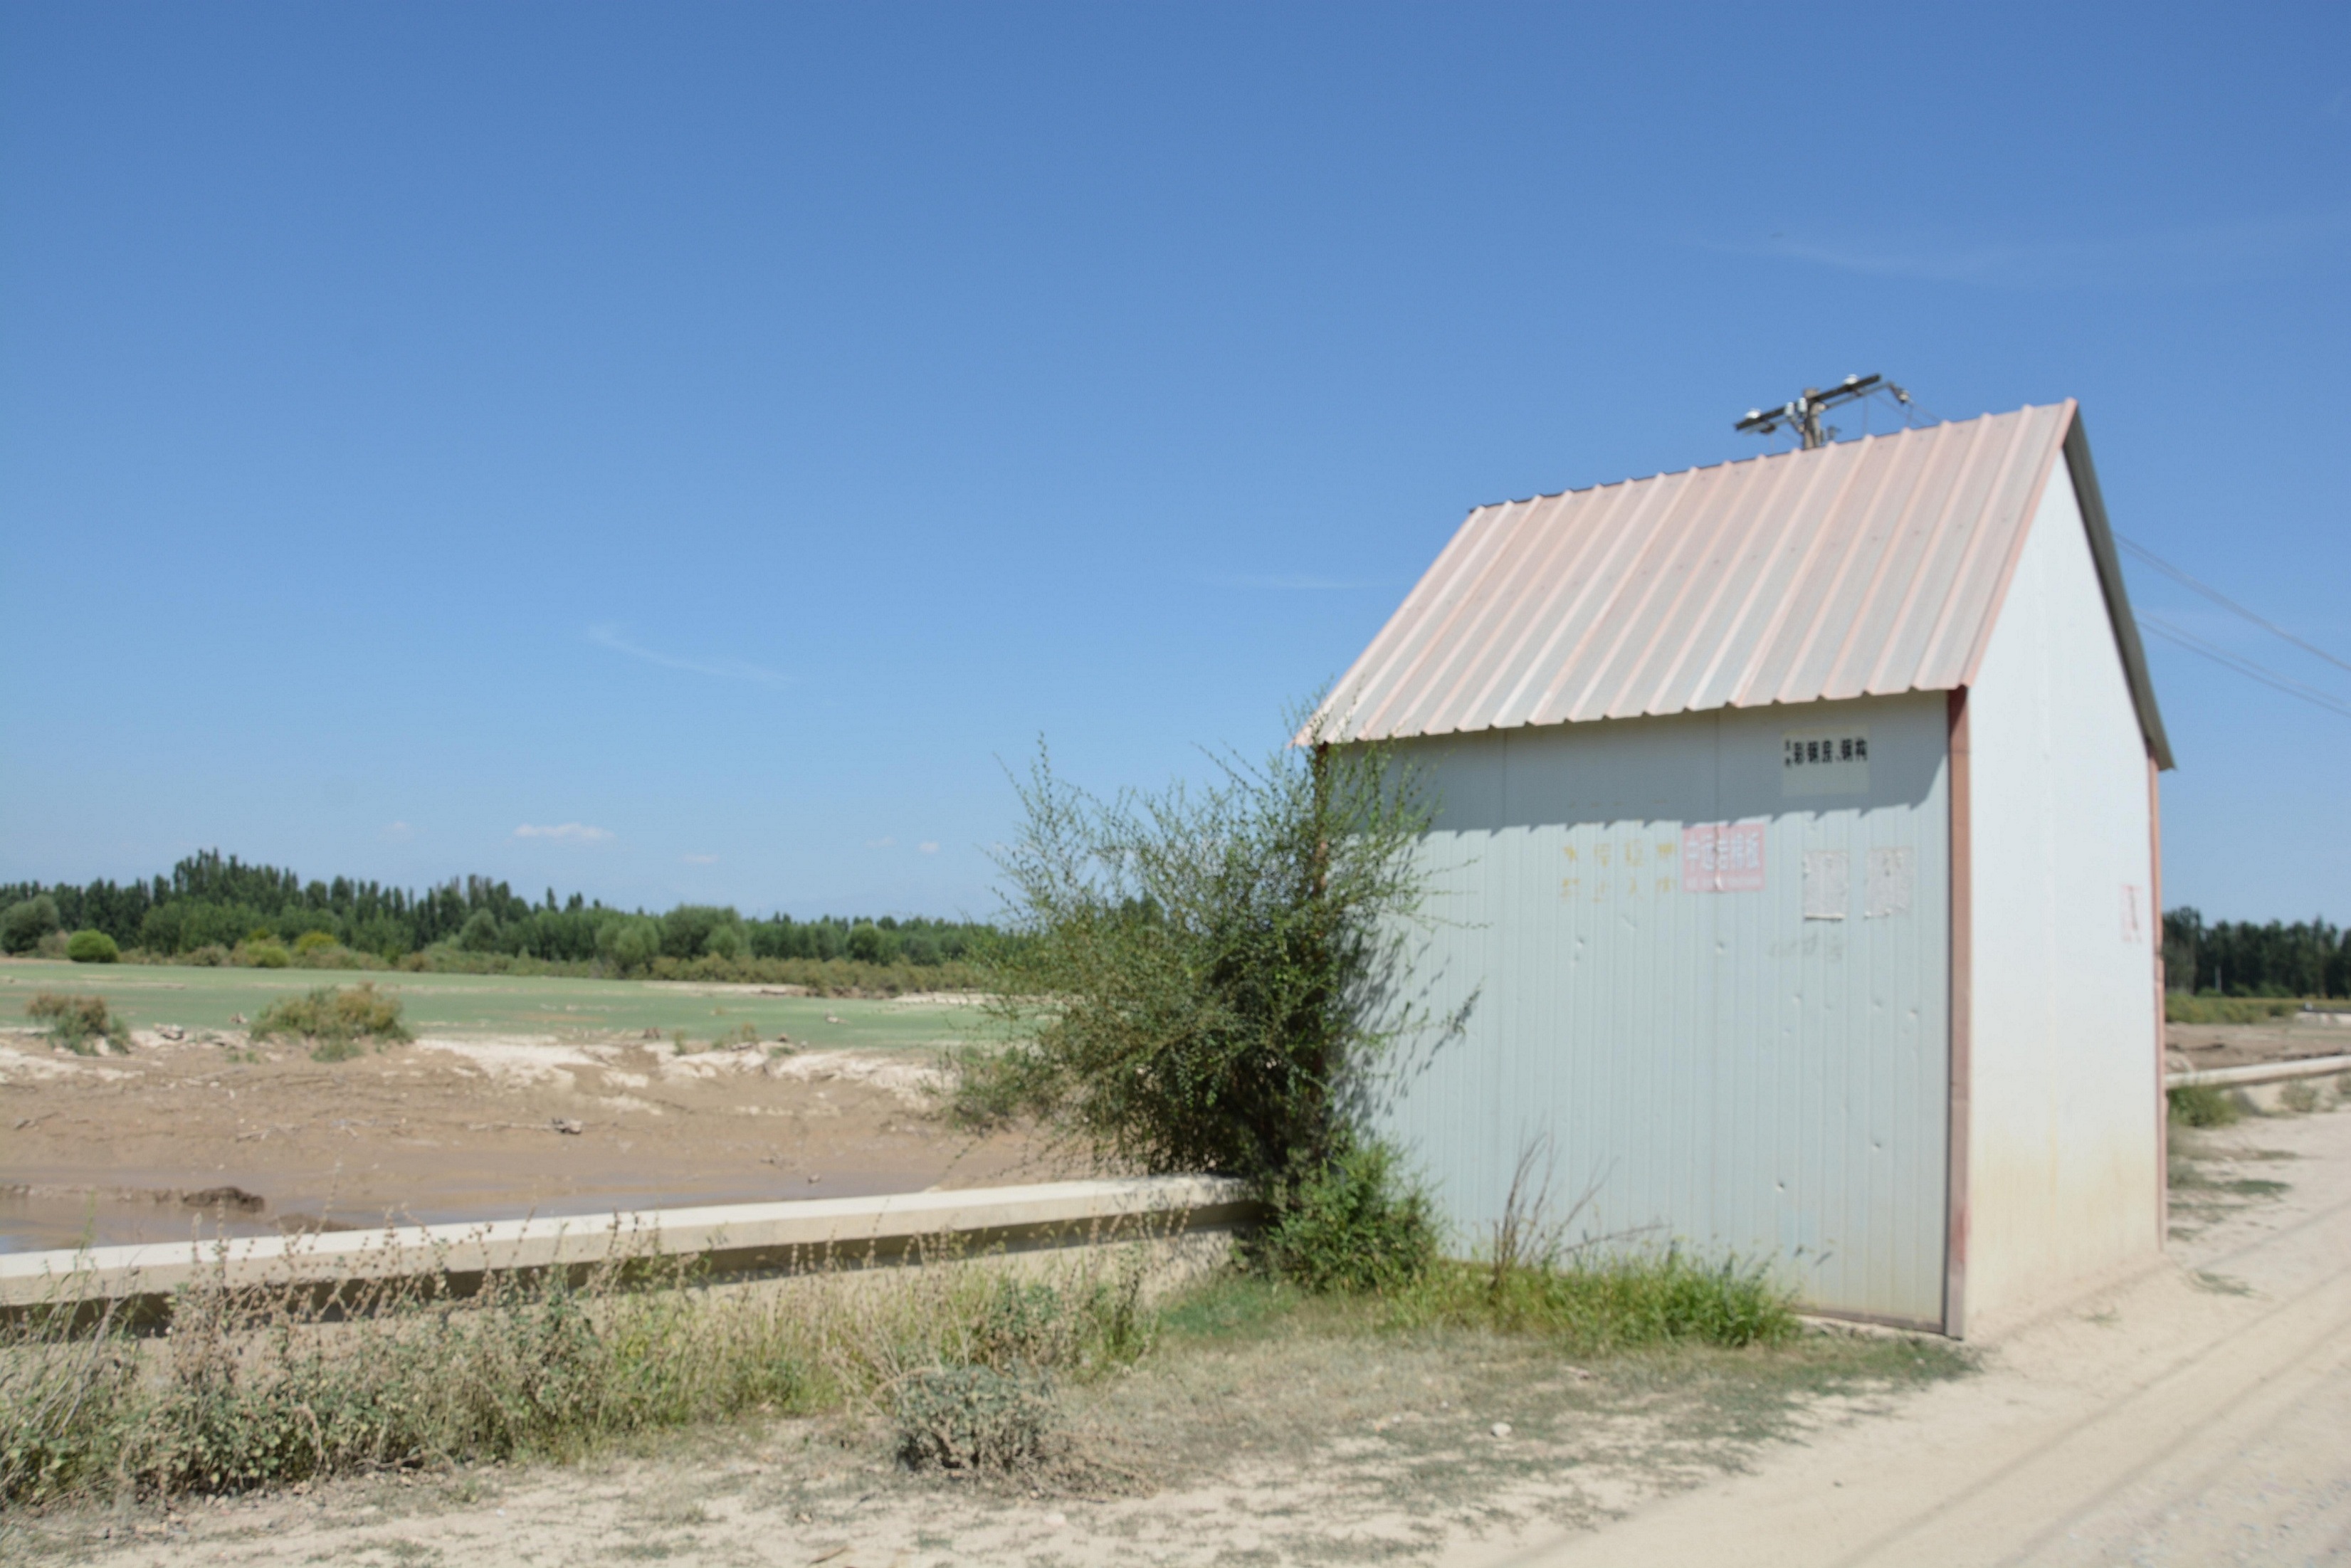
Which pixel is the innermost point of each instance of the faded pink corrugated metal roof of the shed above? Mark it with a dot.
(1851, 570)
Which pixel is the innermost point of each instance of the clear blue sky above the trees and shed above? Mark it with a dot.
(718, 438)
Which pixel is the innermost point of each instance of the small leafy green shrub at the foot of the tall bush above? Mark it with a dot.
(1351, 1226)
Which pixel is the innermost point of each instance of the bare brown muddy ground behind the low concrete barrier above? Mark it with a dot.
(227, 1134)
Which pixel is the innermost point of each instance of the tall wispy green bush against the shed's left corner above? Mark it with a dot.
(1198, 977)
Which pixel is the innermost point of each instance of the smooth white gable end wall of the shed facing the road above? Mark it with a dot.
(2063, 1132)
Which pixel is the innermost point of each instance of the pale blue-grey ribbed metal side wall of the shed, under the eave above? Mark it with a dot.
(1713, 1066)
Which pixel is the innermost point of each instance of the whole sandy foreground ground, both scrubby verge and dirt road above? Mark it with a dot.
(2192, 1414)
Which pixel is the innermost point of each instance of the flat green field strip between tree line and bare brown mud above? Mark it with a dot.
(500, 1005)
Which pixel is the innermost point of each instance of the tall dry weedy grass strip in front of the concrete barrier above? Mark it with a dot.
(262, 1386)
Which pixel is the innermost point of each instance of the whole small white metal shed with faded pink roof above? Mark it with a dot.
(1797, 866)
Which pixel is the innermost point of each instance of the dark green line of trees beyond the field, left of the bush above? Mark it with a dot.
(217, 902)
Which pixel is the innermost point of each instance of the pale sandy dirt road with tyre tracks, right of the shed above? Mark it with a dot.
(2197, 1414)
